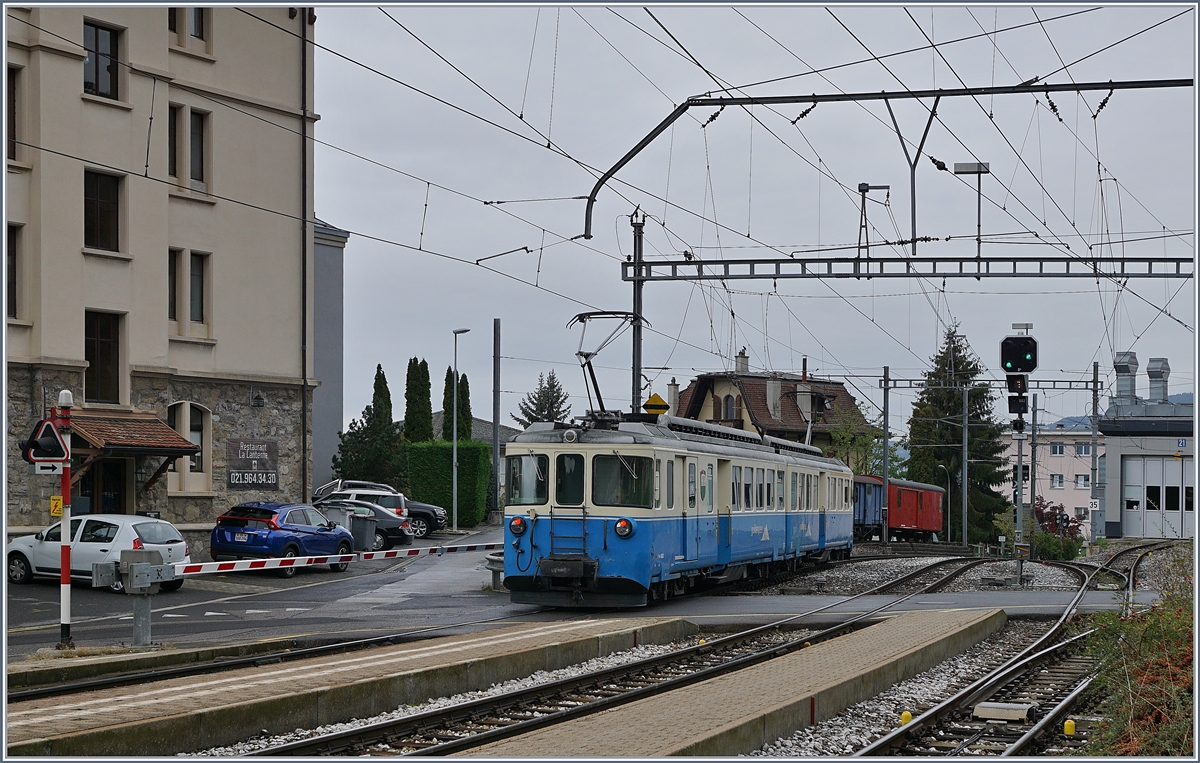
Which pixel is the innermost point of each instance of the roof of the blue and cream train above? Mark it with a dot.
(664, 430)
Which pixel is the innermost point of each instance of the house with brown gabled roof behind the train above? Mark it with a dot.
(795, 407)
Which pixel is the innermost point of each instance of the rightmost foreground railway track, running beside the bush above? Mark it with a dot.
(1019, 705)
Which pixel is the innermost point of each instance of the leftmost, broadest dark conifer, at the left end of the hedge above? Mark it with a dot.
(371, 448)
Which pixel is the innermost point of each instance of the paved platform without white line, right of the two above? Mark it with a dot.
(739, 713)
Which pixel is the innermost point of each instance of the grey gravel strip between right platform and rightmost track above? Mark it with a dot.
(867, 722)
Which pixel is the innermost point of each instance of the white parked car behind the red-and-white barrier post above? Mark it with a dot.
(95, 538)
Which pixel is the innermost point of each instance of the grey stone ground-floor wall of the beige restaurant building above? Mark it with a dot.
(232, 414)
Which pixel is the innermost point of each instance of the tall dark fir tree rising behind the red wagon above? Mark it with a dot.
(935, 440)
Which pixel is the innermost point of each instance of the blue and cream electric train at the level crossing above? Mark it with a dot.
(622, 512)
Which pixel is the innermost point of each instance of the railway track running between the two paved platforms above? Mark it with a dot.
(475, 724)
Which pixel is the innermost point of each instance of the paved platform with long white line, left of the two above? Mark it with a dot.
(189, 714)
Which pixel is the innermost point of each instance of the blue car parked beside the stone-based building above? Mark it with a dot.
(273, 531)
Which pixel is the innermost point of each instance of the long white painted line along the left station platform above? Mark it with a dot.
(179, 696)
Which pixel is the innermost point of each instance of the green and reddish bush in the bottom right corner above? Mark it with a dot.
(1147, 676)
